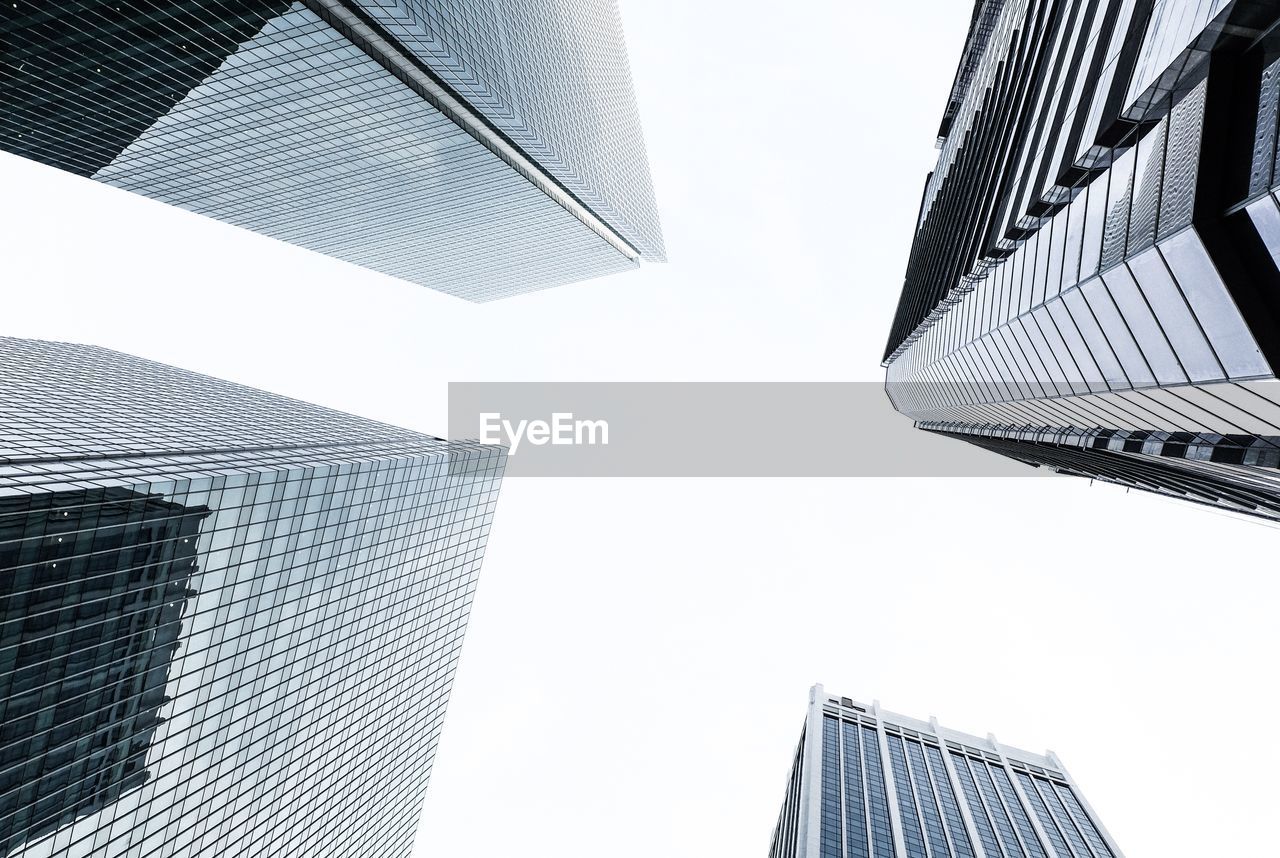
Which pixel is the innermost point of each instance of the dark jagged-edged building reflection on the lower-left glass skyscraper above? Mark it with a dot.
(93, 590)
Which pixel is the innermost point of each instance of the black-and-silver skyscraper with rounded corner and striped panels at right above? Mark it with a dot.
(1094, 285)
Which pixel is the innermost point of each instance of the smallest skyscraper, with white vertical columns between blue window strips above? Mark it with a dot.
(874, 784)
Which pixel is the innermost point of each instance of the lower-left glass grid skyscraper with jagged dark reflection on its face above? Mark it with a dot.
(228, 620)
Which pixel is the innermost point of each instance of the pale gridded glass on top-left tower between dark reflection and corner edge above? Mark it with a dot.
(392, 184)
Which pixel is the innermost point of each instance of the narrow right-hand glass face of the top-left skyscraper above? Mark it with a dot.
(515, 62)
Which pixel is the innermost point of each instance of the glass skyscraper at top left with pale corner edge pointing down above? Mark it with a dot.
(479, 148)
